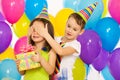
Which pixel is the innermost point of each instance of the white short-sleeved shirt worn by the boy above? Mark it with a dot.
(67, 62)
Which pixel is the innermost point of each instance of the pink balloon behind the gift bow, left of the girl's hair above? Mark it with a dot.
(20, 42)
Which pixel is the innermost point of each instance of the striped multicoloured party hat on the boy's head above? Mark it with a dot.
(86, 13)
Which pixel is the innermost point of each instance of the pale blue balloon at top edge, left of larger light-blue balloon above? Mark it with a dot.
(73, 4)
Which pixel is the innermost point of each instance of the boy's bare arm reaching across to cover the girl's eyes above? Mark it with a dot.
(56, 46)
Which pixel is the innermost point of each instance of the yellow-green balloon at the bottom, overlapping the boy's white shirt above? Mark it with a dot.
(79, 70)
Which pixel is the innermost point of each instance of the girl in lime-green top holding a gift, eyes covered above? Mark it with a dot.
(44, 54)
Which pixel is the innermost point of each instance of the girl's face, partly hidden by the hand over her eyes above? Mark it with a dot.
(35, 32)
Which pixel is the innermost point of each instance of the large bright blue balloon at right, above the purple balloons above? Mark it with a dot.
(109, 32)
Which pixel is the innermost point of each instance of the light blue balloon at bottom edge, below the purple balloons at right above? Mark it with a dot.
(106, 74)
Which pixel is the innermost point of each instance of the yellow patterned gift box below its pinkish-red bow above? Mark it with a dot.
(25, 61)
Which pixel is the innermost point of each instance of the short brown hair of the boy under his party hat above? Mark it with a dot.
(80, 21)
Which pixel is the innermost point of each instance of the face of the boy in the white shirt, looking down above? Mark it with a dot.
(72, 29)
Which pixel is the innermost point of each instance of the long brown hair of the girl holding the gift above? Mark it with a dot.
(50, 30)
